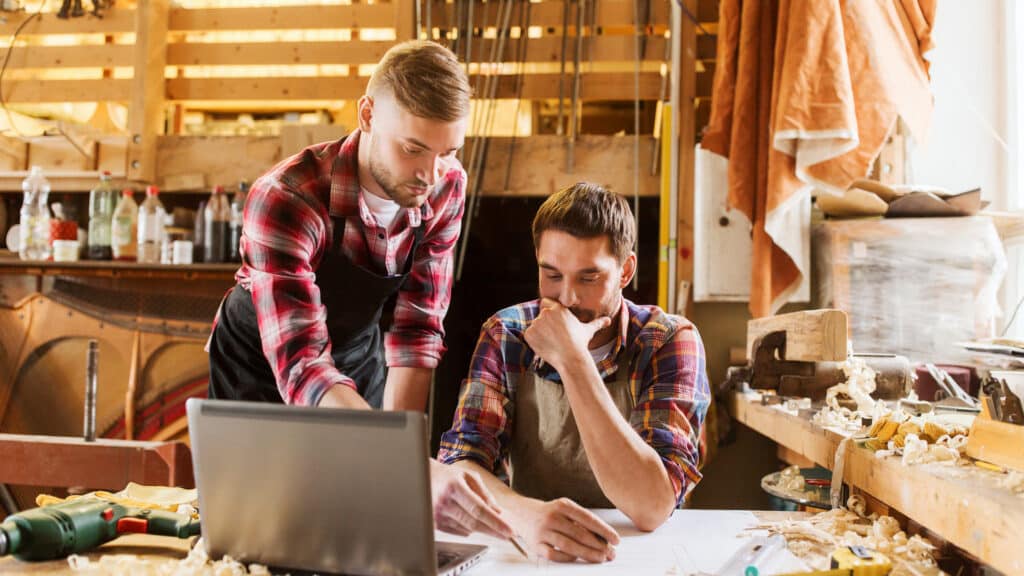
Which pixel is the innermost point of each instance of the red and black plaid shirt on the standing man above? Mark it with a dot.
(287, 232)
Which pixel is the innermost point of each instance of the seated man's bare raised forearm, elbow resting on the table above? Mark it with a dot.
(630, 472)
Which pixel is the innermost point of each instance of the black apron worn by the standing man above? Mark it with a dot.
(355, 299)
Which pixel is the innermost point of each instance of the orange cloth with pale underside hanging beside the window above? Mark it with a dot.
(805, 94)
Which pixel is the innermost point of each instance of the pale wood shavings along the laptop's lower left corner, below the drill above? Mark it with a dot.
(198, 563)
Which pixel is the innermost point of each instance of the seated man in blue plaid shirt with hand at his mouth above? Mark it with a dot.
(583, 398)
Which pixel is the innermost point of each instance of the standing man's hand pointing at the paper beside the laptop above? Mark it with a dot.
(463, 505)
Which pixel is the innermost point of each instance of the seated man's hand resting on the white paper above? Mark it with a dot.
(564, 531)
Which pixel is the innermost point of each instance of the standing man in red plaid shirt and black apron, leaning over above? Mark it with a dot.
(329, 235)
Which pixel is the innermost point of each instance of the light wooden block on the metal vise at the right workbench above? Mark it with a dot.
(810, 336)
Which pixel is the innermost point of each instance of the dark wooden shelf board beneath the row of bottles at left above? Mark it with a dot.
(12, 266)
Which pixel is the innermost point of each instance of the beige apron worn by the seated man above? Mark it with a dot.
(547, 455)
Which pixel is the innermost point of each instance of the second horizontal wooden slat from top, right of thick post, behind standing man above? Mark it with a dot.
(545, 50)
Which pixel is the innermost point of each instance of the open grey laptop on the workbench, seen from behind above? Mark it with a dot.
(319, 489)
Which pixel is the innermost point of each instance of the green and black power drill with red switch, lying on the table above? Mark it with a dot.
(83, 524)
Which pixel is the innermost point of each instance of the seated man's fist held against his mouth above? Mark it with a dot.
(557, 335)
